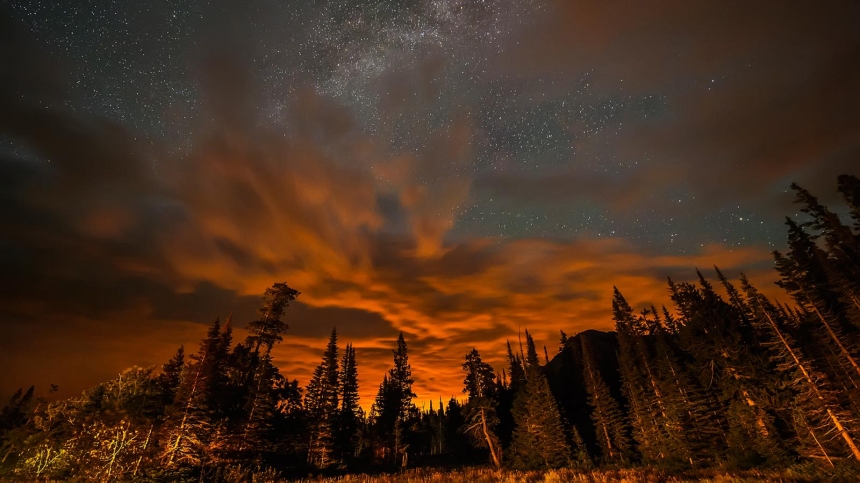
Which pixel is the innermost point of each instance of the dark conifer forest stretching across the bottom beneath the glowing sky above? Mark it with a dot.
(723, 378)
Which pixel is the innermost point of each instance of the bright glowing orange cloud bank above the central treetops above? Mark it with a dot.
(259, 209)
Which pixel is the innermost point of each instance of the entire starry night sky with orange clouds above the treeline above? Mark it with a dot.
(458, 170)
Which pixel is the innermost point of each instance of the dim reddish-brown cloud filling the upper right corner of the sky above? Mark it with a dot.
(755, 96)
